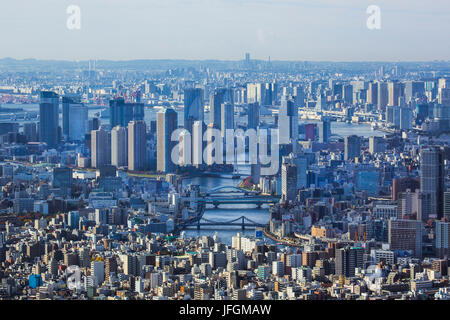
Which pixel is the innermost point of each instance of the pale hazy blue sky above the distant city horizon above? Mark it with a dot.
(333, 30)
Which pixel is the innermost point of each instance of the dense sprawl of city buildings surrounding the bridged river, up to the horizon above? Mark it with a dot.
(93, 188)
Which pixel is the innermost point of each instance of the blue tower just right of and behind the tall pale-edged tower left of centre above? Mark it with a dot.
(193, 107)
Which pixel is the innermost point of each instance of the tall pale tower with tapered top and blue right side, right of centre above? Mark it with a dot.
(288, 121)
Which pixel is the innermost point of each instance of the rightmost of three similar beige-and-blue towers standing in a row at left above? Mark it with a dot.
(137, 146)
